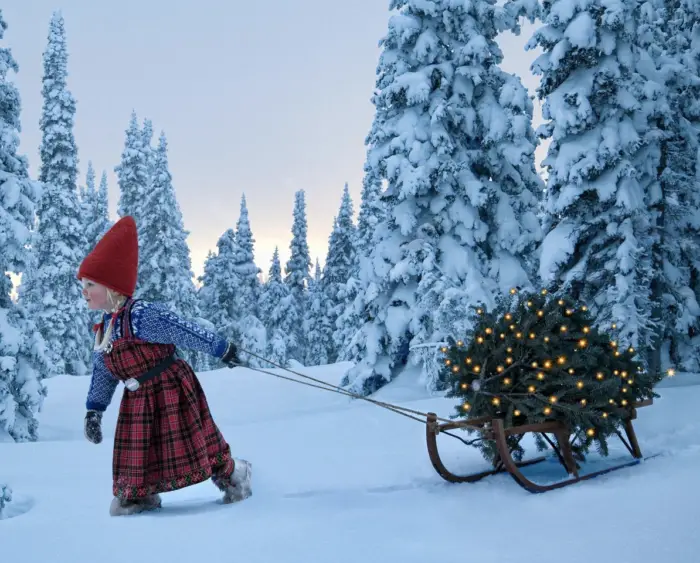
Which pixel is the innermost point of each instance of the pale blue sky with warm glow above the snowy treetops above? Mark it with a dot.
(262, 97)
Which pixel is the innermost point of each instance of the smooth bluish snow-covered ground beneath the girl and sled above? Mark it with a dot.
(337, 481)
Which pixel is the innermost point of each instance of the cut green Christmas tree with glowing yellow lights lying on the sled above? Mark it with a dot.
(538, 358)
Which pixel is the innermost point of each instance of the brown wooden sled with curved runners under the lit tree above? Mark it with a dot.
(494, 429)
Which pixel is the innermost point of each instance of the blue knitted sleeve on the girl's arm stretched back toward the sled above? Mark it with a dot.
(154, 323)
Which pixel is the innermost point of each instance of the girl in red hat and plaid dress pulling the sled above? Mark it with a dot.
(165, 438)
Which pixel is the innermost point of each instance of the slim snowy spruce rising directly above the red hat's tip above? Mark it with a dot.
(133, 175)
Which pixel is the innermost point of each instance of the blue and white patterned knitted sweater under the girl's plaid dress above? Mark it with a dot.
(153, 323)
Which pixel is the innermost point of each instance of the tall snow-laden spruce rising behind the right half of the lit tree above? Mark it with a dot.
(603, 161)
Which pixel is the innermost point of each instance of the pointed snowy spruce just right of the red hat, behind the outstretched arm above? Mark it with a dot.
(165, 272)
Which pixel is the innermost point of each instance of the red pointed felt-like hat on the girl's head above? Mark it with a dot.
(114, 261)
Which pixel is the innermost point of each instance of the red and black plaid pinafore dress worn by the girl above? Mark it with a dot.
(166, 438)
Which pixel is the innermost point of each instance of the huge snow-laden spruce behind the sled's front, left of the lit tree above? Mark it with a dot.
(452, 138)
